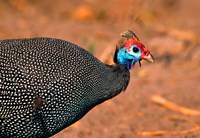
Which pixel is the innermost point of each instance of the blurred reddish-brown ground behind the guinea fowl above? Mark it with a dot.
(162, 99)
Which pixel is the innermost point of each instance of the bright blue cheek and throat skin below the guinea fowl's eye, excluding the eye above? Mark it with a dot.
(126, 59)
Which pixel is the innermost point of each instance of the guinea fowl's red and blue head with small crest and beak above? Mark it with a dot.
(131, 51)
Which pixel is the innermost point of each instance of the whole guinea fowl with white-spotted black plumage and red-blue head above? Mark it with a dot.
(48, 84)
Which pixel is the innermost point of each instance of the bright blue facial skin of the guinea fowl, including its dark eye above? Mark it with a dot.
(129, 58)
